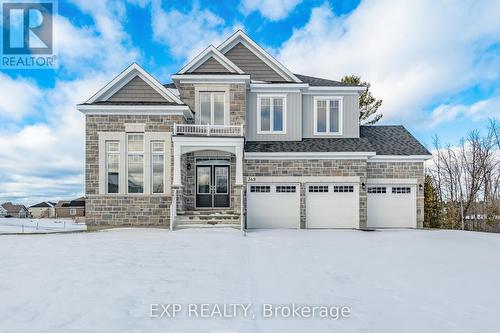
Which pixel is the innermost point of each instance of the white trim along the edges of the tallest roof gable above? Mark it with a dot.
(240, 37)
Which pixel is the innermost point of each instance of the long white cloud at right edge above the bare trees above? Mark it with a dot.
(483, 109)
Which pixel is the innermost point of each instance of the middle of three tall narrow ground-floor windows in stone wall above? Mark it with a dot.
(135, 163)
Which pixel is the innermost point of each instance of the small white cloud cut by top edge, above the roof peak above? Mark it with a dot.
(274, 10)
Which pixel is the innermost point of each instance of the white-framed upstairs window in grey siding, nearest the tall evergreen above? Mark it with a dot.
(328, 115)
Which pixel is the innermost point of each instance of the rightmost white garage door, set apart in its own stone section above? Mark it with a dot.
(391, 206)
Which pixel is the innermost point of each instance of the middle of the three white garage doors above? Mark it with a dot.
(332, 206)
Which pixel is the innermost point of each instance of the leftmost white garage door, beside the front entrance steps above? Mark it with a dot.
(273, 206)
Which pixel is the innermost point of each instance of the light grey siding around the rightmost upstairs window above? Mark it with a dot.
(350, 117)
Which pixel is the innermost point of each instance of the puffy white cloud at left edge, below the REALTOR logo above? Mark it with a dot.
(19, 97)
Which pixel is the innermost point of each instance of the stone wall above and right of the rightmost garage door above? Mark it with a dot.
(401, 170)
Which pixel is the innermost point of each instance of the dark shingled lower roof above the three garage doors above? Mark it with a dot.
(384, 140)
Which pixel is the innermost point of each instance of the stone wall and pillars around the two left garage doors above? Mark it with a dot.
(304, 168)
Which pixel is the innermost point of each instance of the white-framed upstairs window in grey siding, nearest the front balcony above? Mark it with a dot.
(271, 114)
